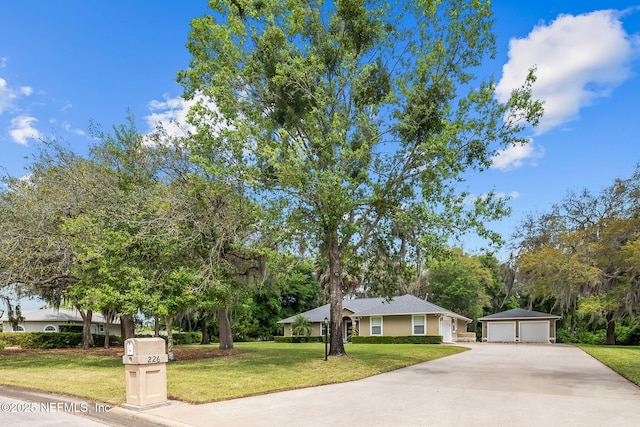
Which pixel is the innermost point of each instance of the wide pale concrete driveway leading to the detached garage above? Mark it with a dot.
(491, 385)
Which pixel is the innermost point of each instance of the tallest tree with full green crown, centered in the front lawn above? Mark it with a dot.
(356, 118)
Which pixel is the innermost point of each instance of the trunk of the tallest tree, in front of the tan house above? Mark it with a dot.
(335, 292)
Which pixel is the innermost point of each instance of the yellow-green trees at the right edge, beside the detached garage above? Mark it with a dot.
(582, 258)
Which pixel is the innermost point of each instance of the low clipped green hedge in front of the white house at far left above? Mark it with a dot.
(52, 339)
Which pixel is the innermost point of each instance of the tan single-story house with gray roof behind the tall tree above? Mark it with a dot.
(402, 316)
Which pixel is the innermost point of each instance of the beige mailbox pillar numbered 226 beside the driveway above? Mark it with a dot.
(145, 363)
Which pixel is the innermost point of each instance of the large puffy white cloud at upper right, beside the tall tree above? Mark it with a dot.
(578, 58)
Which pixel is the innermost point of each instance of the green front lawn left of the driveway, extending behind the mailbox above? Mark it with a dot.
(265, 367)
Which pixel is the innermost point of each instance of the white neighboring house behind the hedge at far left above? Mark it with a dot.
(50, 319)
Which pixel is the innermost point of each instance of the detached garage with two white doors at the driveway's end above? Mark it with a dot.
(519, 325)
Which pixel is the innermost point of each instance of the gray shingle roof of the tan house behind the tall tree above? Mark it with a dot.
(405, 304)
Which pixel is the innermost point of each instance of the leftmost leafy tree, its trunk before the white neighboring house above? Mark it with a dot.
(36, 246)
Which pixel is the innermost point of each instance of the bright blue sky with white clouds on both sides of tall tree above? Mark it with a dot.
(65, 63)
